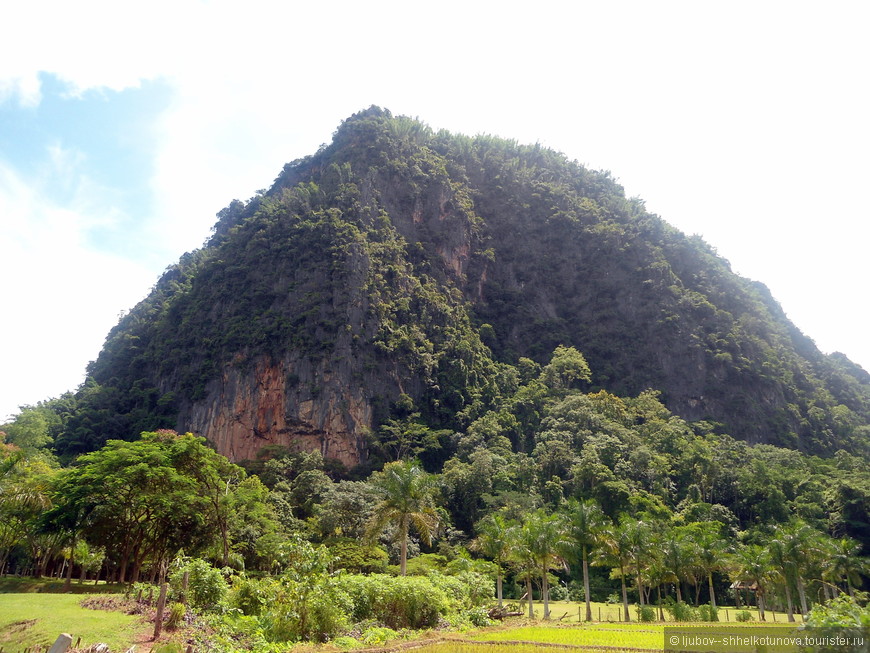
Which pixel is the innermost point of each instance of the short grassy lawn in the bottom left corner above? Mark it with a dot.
(33, 617)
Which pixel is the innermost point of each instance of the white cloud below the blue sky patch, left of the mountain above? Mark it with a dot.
(60, 297)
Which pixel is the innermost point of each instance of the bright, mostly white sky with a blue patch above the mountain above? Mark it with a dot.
(125, 127)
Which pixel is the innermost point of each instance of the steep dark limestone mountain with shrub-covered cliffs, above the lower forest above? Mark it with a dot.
(397, 261)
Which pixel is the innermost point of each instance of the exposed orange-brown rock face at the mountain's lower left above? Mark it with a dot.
(247, 409)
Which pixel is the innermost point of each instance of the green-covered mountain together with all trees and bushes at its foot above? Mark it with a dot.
(542, 388)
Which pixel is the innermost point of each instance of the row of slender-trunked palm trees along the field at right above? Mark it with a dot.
(655, 555)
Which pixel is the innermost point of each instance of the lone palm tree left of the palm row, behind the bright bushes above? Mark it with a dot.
(407, 498)
